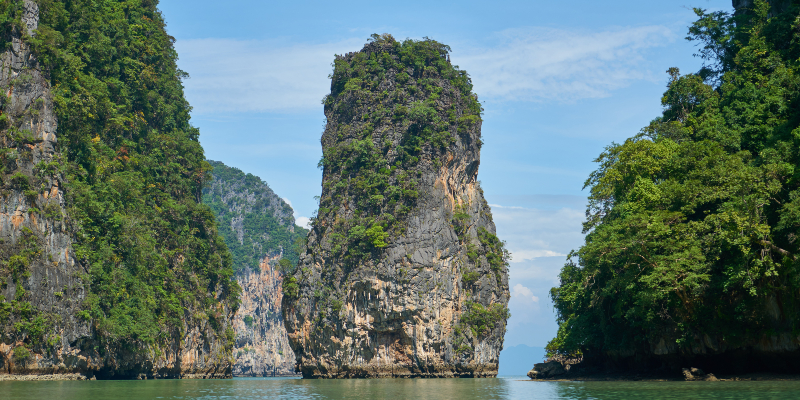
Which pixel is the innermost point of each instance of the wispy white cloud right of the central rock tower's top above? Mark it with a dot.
(540, 64)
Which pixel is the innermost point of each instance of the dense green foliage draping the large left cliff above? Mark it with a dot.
(133, 171)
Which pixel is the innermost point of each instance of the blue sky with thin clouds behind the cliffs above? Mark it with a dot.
(559, 81)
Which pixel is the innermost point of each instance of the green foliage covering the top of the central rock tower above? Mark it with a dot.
(397, 88)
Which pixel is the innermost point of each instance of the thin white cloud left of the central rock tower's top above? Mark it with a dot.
(256, 76)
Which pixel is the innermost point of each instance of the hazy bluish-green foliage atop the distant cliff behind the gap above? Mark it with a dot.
(265, 222)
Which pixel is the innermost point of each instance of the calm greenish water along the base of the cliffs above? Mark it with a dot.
(395, 389)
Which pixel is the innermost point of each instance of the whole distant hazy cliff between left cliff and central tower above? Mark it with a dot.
(260, 230)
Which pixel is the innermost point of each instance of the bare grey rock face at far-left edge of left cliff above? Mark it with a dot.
(41, 280)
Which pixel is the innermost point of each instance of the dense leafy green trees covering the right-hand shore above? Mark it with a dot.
(692, 224)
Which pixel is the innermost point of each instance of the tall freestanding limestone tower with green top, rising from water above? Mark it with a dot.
(402, 274)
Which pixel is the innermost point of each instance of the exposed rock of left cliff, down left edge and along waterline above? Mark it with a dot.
(44, 330)
